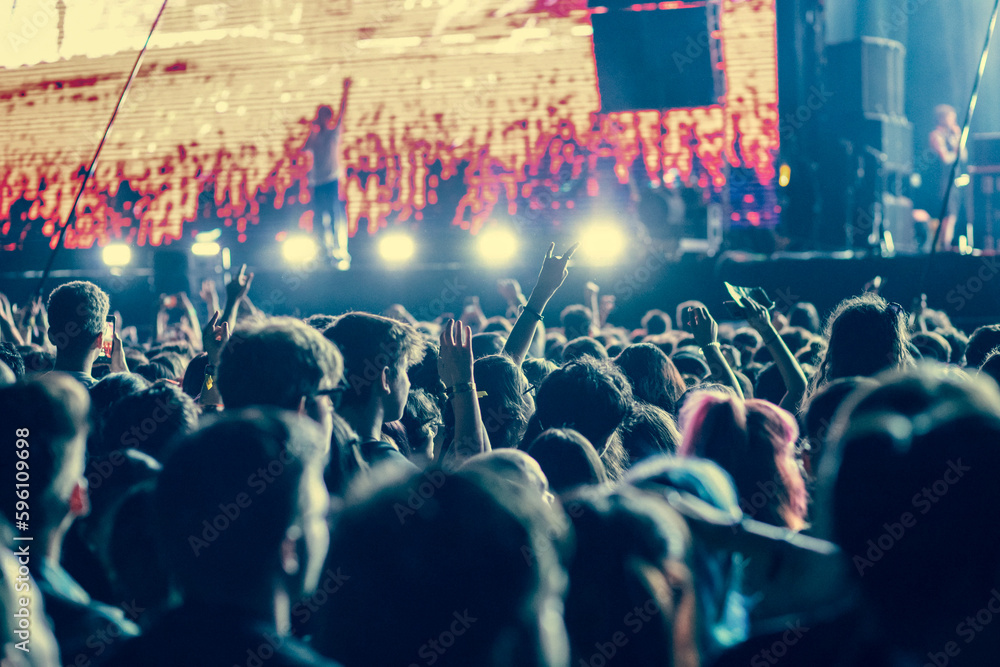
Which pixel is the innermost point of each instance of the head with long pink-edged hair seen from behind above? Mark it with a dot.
(754, 441)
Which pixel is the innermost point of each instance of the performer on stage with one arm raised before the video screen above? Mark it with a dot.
(324, 179)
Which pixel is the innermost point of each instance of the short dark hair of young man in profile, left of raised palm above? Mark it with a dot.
(368, 344)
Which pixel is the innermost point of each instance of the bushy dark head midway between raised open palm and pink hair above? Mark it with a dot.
(590, 396)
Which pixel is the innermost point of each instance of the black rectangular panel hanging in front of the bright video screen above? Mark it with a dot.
(654, 59)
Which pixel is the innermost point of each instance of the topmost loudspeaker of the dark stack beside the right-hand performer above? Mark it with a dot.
(879, 64)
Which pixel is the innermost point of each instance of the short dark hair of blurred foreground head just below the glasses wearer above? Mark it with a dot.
(220, 465)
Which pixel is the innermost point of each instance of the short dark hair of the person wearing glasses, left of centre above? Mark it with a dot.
(276, 363)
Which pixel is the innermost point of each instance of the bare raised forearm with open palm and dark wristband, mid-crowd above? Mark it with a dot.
(455, 369)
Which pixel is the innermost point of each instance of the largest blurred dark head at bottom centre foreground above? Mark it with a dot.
(420, 570)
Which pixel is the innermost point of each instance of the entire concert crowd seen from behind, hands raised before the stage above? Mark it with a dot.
(537, 488)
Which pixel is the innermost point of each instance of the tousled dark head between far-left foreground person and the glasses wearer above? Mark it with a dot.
(148, 420)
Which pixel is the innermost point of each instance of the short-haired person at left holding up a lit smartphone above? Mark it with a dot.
(80, 331)
